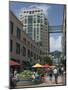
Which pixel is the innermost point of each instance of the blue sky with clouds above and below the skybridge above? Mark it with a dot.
(53, 12)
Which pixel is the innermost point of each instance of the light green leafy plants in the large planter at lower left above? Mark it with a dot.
(25, 75)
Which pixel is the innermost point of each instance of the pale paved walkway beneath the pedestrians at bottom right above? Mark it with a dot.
(46, 83)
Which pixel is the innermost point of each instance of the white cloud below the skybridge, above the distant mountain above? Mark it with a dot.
(55, 44)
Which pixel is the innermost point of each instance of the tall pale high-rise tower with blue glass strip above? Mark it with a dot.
(35, 24)
